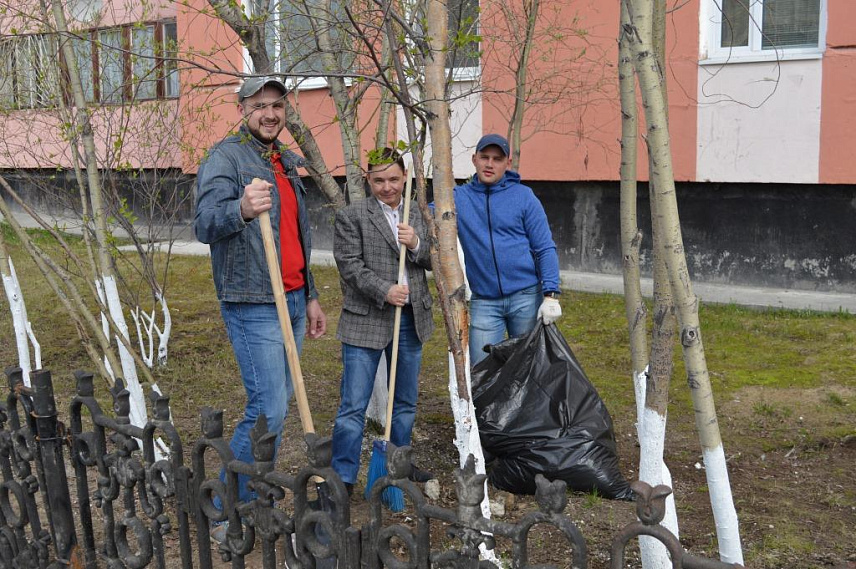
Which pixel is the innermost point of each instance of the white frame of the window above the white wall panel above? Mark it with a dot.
(712, 52)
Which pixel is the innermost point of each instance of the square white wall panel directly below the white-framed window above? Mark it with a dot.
(759, 122)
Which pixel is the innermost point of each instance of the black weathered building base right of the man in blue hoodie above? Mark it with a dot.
(747, 234)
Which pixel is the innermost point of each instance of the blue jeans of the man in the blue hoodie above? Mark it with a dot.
(490, 318)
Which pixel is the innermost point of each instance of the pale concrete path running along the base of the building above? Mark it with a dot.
(755, 297)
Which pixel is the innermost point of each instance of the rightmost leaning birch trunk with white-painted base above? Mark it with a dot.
(638, 30)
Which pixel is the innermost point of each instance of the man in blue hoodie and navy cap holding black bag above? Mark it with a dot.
(512, 264)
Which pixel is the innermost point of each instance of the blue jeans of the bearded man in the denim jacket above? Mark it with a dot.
(256, 339)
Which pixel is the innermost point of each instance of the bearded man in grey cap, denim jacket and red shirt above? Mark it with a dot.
(228, 204)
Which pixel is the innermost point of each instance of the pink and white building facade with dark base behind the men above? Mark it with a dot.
(762, 102)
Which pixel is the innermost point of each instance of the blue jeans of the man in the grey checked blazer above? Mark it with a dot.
(360, 367)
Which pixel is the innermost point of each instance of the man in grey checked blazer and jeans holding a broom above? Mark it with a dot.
(366, 245)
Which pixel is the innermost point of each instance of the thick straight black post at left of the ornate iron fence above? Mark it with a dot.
(56, 482)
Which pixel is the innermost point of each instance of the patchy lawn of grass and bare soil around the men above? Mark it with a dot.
(784, 383)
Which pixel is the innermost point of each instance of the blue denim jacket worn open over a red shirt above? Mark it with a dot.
(237, 250)
